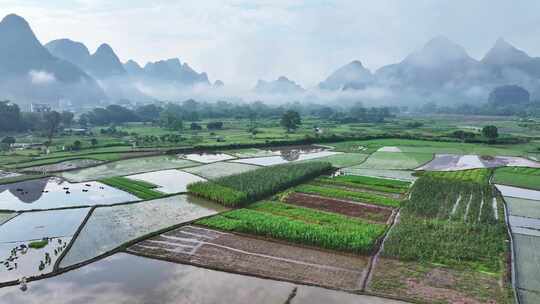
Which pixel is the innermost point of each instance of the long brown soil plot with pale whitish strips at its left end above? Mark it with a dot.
(252, 256)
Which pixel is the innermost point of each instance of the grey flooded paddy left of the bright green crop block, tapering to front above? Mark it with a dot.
(109, 227)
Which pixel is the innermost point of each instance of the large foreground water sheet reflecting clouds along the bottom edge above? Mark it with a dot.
(124, 278)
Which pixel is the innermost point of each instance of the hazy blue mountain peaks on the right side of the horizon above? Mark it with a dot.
(441, 71)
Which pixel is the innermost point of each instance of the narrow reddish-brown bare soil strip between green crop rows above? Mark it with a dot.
(371, 213)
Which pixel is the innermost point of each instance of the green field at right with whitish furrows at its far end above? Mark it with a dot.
(450, 222)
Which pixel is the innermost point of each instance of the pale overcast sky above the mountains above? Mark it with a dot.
(240, 41)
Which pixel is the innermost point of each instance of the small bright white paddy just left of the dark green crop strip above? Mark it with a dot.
(168, 181)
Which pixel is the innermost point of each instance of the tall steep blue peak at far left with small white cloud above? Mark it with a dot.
(28, 72)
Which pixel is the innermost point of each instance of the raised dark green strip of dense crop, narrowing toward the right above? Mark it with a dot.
(239, 189)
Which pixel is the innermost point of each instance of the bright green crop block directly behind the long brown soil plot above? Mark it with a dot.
(300, 225)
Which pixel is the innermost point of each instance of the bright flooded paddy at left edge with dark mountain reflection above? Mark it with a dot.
(50, 193)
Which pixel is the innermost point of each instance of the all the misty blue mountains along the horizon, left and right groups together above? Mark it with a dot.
(64, 70)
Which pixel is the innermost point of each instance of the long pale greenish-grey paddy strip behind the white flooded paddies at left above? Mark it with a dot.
(128, 167)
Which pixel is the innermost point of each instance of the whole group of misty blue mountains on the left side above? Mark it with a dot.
(64, 71)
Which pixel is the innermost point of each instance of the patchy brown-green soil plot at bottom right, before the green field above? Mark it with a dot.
(435, 284)
